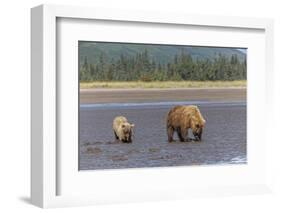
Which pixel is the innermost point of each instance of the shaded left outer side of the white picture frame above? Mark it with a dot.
(37, 106)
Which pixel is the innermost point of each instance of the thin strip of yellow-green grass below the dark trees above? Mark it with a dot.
(162, 84)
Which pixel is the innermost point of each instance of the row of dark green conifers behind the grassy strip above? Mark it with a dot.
(142, 68)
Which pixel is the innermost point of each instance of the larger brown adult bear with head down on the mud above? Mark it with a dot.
(181, 118)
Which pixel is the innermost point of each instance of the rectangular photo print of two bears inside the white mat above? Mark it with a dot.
(155, 105)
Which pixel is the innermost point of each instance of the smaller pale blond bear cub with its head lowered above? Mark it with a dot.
(122, 129)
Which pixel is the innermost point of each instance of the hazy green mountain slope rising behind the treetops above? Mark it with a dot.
(159, 53)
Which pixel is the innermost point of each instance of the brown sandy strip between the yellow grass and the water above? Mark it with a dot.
(92, 96)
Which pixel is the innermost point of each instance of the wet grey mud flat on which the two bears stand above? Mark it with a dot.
(224, 137)
